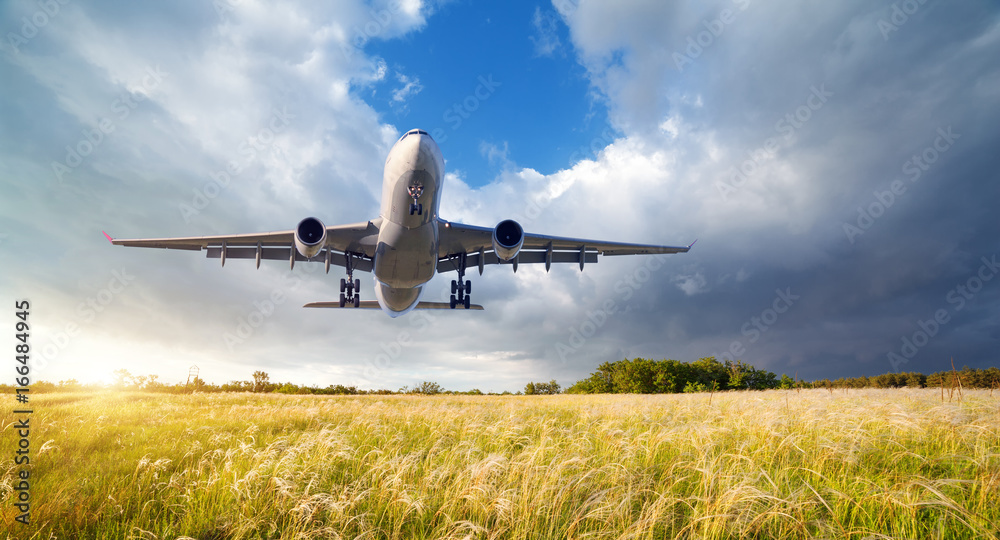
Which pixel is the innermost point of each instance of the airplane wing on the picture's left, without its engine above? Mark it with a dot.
(357, 239)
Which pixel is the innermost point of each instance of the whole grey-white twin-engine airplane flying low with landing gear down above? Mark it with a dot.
(407, 244)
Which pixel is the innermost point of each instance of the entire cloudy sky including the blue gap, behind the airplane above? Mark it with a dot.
(837, 162)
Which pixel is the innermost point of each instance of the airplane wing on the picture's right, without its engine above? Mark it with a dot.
(476, 244)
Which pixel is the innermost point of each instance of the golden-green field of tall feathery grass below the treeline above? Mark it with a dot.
(775, 464)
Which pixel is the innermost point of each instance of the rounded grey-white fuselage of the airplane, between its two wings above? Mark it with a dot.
(407, 252)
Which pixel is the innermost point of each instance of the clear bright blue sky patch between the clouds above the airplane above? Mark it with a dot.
(536, 108)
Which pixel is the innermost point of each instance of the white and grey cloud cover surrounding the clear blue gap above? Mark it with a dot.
(682, 133)
